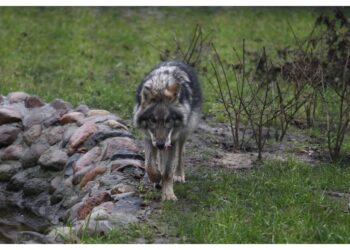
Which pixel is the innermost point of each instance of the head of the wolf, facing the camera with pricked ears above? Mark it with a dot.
(161, 115)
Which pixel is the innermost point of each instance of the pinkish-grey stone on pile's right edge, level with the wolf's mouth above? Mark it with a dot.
(111, 145)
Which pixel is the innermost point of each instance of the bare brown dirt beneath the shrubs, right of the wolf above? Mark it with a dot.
(212, 144)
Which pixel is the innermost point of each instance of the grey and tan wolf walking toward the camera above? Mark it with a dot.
(168, 109)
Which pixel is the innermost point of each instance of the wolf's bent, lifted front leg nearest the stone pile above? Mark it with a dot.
(151, 162)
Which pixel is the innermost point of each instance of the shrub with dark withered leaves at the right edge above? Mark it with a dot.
(321, 62)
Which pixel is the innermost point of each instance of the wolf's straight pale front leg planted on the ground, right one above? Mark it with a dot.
(167, 174)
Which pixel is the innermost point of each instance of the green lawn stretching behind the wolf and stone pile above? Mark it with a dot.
(98, 56)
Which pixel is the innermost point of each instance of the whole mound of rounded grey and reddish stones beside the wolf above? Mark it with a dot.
(71, 166)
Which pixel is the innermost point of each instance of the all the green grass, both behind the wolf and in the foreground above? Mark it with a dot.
(98, 56)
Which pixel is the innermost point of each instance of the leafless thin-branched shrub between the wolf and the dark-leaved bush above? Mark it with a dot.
(254, 96)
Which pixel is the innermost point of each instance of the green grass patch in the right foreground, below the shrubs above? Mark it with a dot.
(280, 202)
